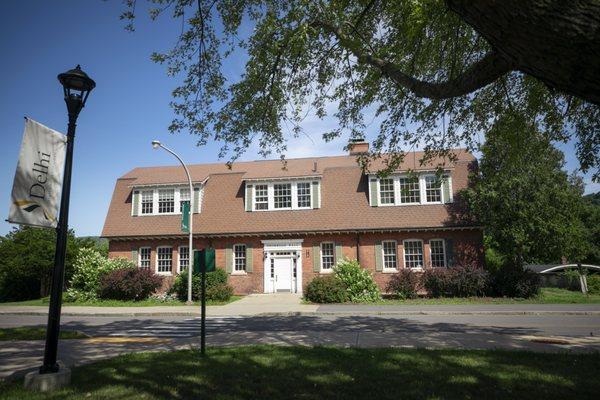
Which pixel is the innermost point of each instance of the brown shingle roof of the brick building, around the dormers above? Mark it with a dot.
(344, 205)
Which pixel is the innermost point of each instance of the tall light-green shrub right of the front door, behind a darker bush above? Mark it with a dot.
(359, 283)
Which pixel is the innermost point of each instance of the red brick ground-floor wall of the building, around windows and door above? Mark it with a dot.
(467, 247)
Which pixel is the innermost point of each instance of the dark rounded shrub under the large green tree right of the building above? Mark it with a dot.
(513, 281)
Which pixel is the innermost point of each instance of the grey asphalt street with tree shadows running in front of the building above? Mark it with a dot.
(183, 327)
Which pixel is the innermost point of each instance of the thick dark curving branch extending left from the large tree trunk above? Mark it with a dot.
(480, 74)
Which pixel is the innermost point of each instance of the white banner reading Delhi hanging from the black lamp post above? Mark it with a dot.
(38, 181)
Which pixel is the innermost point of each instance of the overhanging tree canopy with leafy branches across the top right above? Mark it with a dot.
(427, 72)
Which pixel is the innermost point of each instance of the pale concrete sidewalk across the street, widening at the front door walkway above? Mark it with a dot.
(286, 303)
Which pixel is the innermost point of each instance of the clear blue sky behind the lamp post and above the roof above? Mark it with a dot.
(128, 108)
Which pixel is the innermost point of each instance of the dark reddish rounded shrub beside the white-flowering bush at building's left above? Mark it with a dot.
(129, 284)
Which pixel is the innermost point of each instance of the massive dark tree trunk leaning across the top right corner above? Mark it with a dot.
(556, 41)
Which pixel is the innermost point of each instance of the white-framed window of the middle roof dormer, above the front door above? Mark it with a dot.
(290, 195)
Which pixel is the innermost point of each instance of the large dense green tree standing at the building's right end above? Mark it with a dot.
(529, 207)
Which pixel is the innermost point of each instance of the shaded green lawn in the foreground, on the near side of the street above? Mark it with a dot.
(284, 372)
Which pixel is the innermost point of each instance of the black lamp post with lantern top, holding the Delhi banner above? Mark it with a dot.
(77, 87)
